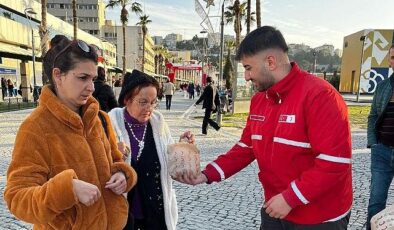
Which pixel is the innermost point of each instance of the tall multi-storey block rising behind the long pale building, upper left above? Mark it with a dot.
(90, 14)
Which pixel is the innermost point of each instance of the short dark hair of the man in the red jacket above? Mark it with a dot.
(260, 39)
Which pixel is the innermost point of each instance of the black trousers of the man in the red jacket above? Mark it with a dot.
(270, 223)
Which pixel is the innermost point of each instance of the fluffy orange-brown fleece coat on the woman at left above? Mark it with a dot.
(53, 146)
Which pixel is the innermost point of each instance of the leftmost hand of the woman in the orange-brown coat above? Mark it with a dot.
(86, 193)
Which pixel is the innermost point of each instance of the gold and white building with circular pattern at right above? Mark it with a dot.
(365, 60)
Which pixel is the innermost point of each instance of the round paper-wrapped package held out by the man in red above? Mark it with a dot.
(183, 158)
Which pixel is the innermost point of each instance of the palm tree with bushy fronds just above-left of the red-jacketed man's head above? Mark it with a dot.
(235, 14)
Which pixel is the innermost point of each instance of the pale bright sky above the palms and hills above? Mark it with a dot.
(311, 22)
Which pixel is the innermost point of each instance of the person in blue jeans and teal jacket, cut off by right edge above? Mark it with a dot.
(381, 141)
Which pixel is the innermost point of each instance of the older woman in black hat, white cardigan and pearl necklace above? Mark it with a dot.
(152, 201)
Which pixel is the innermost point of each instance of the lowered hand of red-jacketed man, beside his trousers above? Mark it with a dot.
(277, 207)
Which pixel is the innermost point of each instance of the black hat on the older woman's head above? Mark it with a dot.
(133, 83)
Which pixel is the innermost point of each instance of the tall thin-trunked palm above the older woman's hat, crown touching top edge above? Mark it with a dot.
(124, 18)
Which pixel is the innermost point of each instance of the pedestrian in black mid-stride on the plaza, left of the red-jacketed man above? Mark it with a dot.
(211, 104)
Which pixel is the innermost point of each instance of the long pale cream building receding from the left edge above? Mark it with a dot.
(16, 44)
